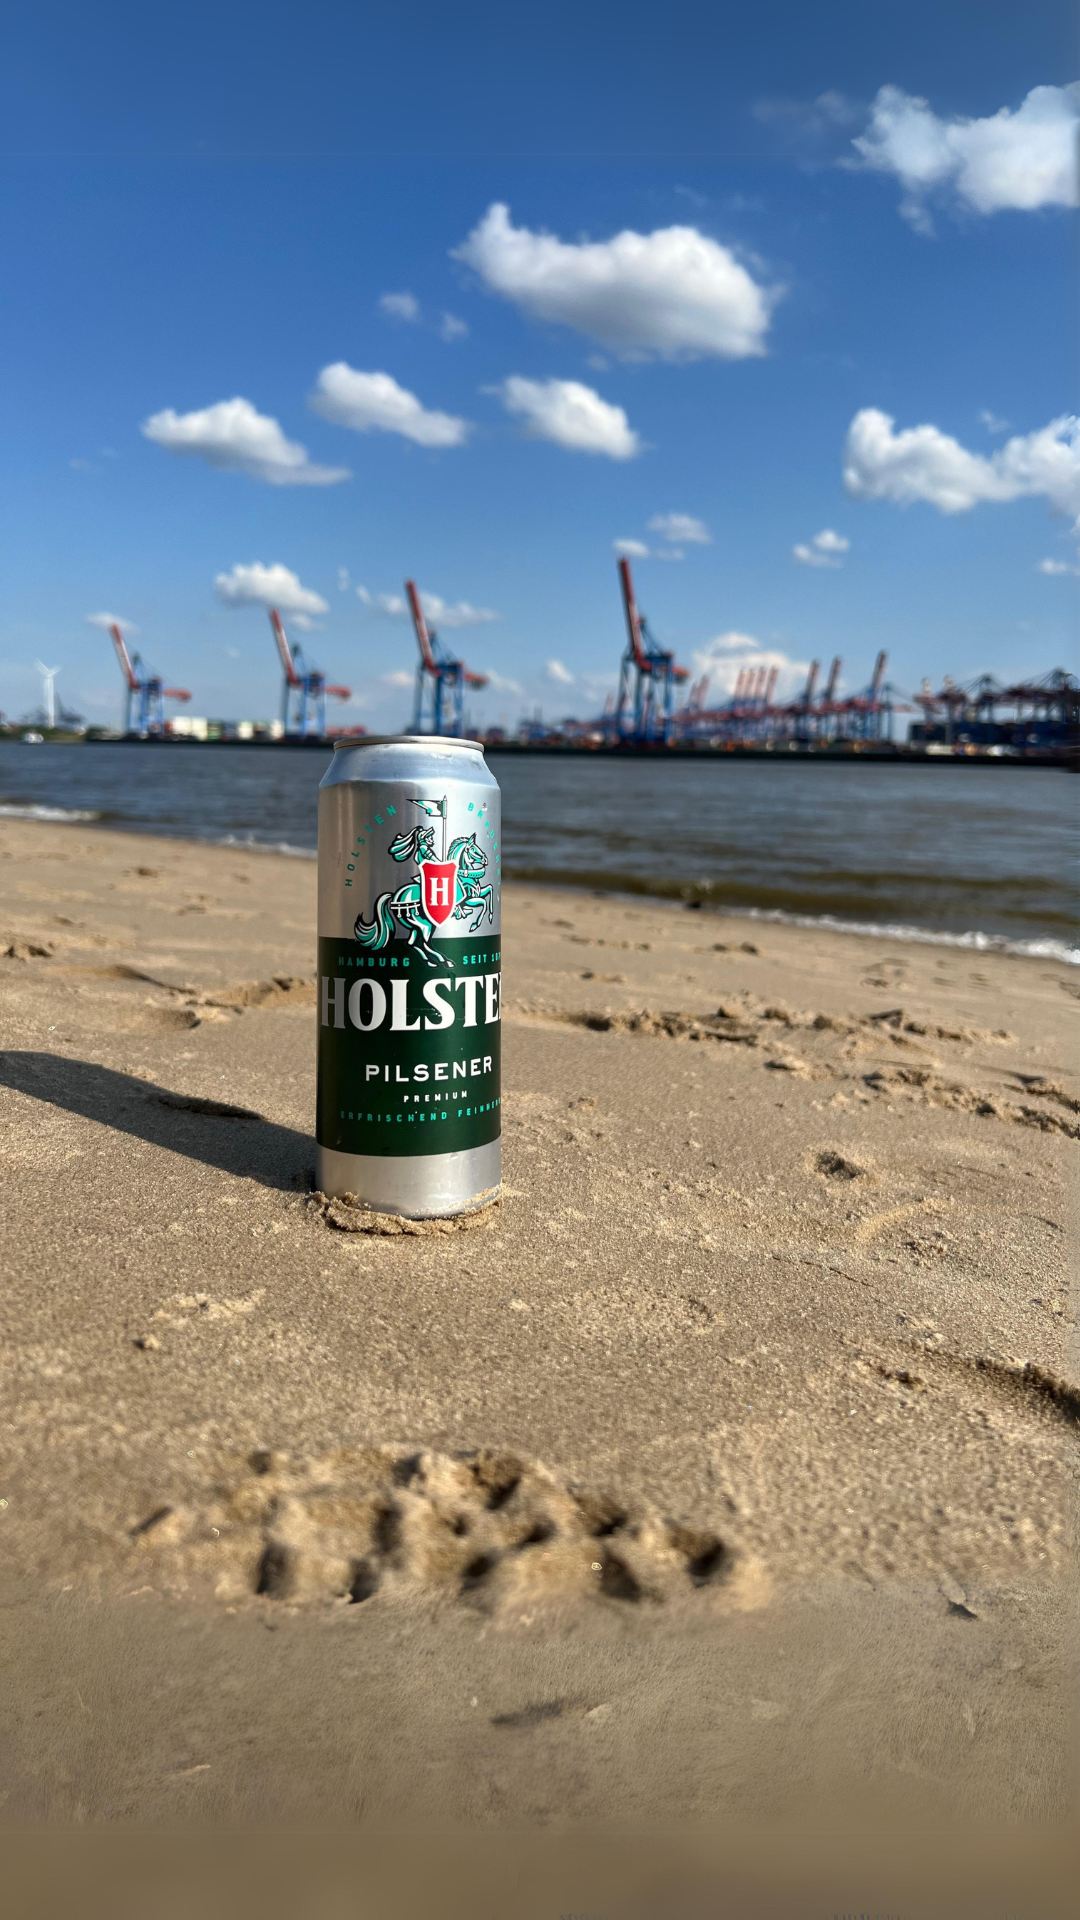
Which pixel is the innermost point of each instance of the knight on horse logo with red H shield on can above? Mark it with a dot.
(445, 890)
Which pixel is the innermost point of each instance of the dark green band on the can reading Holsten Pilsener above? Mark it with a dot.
(410, 1055)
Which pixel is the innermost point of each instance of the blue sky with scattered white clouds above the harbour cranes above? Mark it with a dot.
(704, 300)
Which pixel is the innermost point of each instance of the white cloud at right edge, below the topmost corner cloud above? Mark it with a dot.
(925, 464)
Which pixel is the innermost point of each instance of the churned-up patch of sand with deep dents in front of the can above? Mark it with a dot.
(483, 1529)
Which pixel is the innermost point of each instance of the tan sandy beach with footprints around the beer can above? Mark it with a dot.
(724, 1472)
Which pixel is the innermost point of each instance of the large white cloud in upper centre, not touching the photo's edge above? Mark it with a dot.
(674, 293)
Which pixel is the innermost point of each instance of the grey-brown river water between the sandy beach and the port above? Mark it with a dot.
(983, 855)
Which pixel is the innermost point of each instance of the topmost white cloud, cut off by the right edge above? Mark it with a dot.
(1021, 160)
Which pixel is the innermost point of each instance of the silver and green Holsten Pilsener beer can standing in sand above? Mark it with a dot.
(410, 976)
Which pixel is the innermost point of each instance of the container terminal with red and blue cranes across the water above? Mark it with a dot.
(656, 709)
